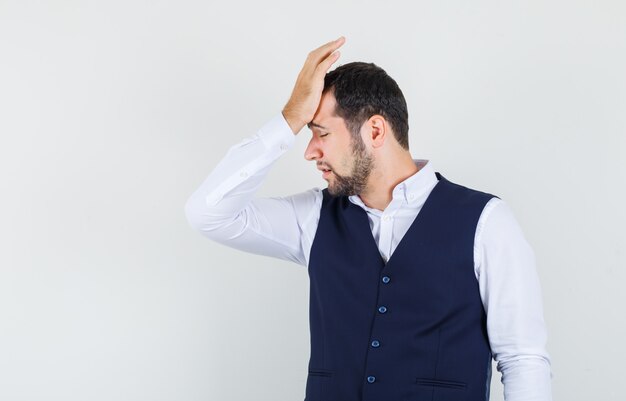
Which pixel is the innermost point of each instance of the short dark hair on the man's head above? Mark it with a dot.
(364, 89)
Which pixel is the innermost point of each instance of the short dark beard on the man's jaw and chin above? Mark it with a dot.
(353, 184)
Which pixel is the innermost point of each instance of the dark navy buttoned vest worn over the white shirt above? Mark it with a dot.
(413, 329)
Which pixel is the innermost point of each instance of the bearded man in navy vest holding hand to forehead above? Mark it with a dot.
(416, 282)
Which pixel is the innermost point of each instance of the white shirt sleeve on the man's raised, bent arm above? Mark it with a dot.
(225, 210)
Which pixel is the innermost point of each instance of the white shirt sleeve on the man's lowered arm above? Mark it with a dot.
(511, 294)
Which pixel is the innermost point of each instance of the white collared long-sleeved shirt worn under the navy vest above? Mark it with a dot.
(225, 210)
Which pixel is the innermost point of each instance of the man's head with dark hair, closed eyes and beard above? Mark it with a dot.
(359, 101)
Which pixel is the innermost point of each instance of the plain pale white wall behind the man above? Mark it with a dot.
(113, 112)
